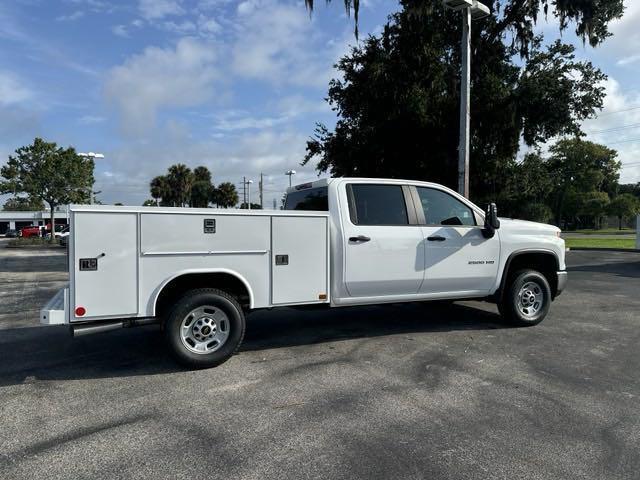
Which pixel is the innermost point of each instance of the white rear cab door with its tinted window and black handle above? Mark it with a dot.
(383, 245)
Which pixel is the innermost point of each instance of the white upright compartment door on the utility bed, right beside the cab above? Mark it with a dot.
(299, 262)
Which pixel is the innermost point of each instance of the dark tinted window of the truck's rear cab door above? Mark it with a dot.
(377, 205)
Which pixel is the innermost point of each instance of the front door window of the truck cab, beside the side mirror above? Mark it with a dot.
(440, 208)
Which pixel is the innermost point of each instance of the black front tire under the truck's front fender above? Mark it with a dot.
(525, 312)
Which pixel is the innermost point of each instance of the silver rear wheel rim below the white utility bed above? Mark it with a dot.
(204, 329)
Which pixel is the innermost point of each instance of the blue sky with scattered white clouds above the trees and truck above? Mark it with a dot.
(233, 85)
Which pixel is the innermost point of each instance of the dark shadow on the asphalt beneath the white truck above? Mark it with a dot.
(33, 354)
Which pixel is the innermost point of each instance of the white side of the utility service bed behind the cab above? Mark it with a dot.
(140, 250)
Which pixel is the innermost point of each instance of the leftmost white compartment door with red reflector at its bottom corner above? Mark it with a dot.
(105, 264)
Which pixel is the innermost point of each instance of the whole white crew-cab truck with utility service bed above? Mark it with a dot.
(338, 242)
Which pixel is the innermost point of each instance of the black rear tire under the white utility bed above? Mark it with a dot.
(217, 301)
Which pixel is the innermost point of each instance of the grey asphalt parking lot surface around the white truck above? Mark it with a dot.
(402, 391)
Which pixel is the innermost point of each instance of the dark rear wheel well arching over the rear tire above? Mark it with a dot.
(178, 286)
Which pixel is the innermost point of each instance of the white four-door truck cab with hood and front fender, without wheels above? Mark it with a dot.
(398, 240)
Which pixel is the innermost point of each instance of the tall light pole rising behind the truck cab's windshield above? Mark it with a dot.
(471, 10)
